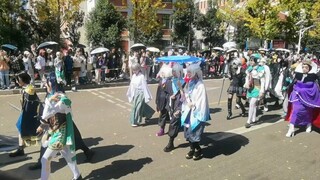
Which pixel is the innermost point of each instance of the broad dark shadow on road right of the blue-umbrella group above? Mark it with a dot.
(224, 143)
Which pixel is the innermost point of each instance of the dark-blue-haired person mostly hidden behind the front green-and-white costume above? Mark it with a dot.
(79, 143)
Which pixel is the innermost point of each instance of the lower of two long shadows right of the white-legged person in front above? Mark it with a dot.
(118, 169)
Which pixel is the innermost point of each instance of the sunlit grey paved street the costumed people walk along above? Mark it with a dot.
(123, 152)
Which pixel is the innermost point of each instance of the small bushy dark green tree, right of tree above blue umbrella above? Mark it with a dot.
(210, 25)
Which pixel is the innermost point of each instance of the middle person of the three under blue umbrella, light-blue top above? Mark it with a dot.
(175, 104)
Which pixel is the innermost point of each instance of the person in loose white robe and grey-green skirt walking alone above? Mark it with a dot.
(139, 95)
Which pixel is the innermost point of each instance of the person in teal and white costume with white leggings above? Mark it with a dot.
(255, 85)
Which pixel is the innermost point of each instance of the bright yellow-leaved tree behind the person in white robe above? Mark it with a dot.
(144, 23)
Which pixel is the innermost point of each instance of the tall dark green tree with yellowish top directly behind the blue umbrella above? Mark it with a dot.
(183, 20)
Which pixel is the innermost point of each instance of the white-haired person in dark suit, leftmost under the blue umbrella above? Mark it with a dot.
(164, 91)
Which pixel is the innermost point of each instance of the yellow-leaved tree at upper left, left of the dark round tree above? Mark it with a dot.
(54, 19)
